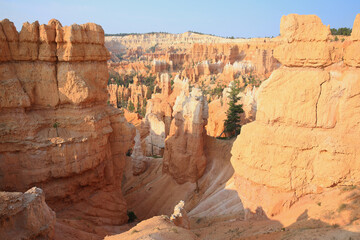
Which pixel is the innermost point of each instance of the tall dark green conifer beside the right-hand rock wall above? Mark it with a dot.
(232, 123)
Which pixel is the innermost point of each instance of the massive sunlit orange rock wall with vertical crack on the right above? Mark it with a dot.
(306, 134)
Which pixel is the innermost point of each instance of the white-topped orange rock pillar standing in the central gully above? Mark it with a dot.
(184, 157)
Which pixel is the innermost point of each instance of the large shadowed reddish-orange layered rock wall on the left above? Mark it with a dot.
(56, 130)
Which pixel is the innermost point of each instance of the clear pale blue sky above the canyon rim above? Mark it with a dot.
(225, 18)
